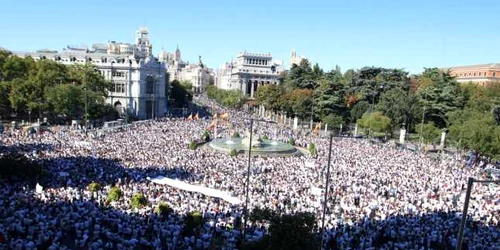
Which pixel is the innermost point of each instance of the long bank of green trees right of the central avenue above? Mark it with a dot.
(384, 100)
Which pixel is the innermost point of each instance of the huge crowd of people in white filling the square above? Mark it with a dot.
(380, 197)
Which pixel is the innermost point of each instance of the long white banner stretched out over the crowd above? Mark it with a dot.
(193, 188)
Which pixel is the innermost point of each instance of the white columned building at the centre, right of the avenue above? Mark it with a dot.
(248, 72)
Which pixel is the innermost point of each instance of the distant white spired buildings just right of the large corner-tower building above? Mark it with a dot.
(197, 74)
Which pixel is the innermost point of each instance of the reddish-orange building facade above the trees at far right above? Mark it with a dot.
(481, 74)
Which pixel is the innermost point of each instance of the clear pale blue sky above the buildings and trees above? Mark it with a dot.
(351, 33)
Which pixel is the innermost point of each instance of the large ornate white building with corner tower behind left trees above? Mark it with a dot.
(138, 78)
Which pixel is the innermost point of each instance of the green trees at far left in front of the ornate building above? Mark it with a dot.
(46, 88)
